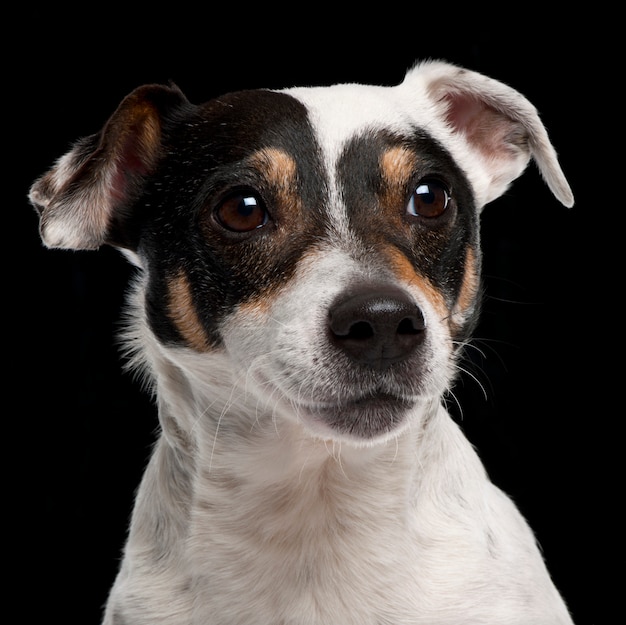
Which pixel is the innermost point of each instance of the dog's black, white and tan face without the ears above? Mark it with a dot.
(338, 283)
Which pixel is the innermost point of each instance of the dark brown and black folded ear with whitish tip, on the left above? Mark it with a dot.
(82, 200)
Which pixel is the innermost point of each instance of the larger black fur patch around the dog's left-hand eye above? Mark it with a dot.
(207, 154)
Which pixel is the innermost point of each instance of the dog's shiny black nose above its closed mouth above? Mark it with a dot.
(376, 326)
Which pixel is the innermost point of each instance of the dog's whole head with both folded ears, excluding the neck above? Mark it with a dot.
(321, 244)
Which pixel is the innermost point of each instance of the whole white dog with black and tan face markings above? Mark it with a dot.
(307, 278)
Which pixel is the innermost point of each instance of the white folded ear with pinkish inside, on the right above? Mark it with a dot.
(494, 128)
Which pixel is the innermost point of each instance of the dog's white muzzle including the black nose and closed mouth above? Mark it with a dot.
(354, 372)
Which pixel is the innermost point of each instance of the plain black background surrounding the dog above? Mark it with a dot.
(84, 429)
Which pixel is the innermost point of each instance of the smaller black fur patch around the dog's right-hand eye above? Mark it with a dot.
(436, 248)
